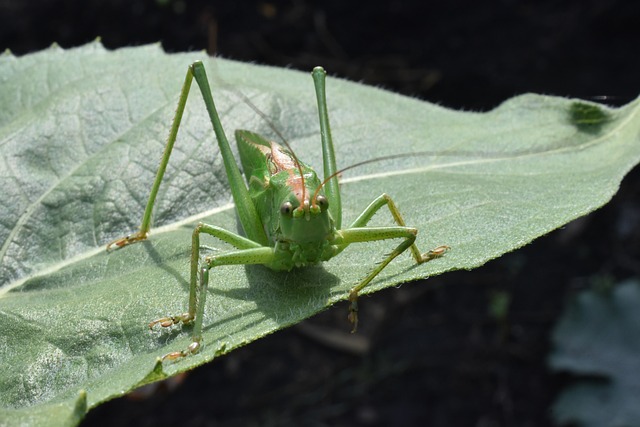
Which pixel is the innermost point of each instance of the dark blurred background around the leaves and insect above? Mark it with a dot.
(431, 353)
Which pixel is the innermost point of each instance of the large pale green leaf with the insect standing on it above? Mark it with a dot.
(82, 132)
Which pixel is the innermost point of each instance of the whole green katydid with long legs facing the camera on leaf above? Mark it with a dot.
(289, 216)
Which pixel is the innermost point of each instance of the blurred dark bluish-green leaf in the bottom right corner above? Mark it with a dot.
(597, 340)
